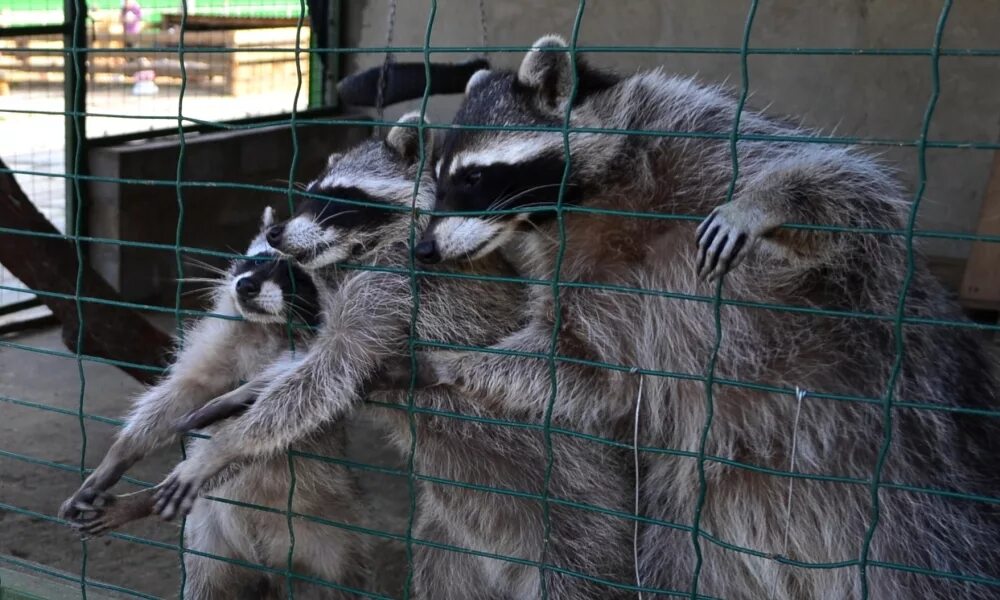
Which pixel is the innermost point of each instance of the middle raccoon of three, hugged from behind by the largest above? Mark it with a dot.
(367, 330)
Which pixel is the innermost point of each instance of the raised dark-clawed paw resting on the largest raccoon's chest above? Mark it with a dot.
(724, 239)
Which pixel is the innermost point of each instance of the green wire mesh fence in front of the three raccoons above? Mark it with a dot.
(78, 177)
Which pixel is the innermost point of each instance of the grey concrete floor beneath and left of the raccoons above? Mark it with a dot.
(50, 436)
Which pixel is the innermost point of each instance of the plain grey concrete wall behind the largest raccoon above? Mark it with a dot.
(865, 96)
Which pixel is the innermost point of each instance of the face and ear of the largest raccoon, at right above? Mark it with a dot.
(512, 176)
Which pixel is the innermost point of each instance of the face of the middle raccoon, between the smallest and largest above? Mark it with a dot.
(365, 194)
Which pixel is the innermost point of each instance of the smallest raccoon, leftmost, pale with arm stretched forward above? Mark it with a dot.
(218, 354)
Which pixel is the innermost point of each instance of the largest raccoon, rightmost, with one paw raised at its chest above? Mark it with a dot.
(780, 182)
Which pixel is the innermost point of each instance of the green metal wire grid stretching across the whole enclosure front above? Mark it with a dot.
(889, 402)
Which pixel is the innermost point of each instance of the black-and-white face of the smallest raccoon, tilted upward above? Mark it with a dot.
(266, 289)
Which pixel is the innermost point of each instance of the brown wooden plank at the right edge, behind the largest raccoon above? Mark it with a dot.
(981, 281)
